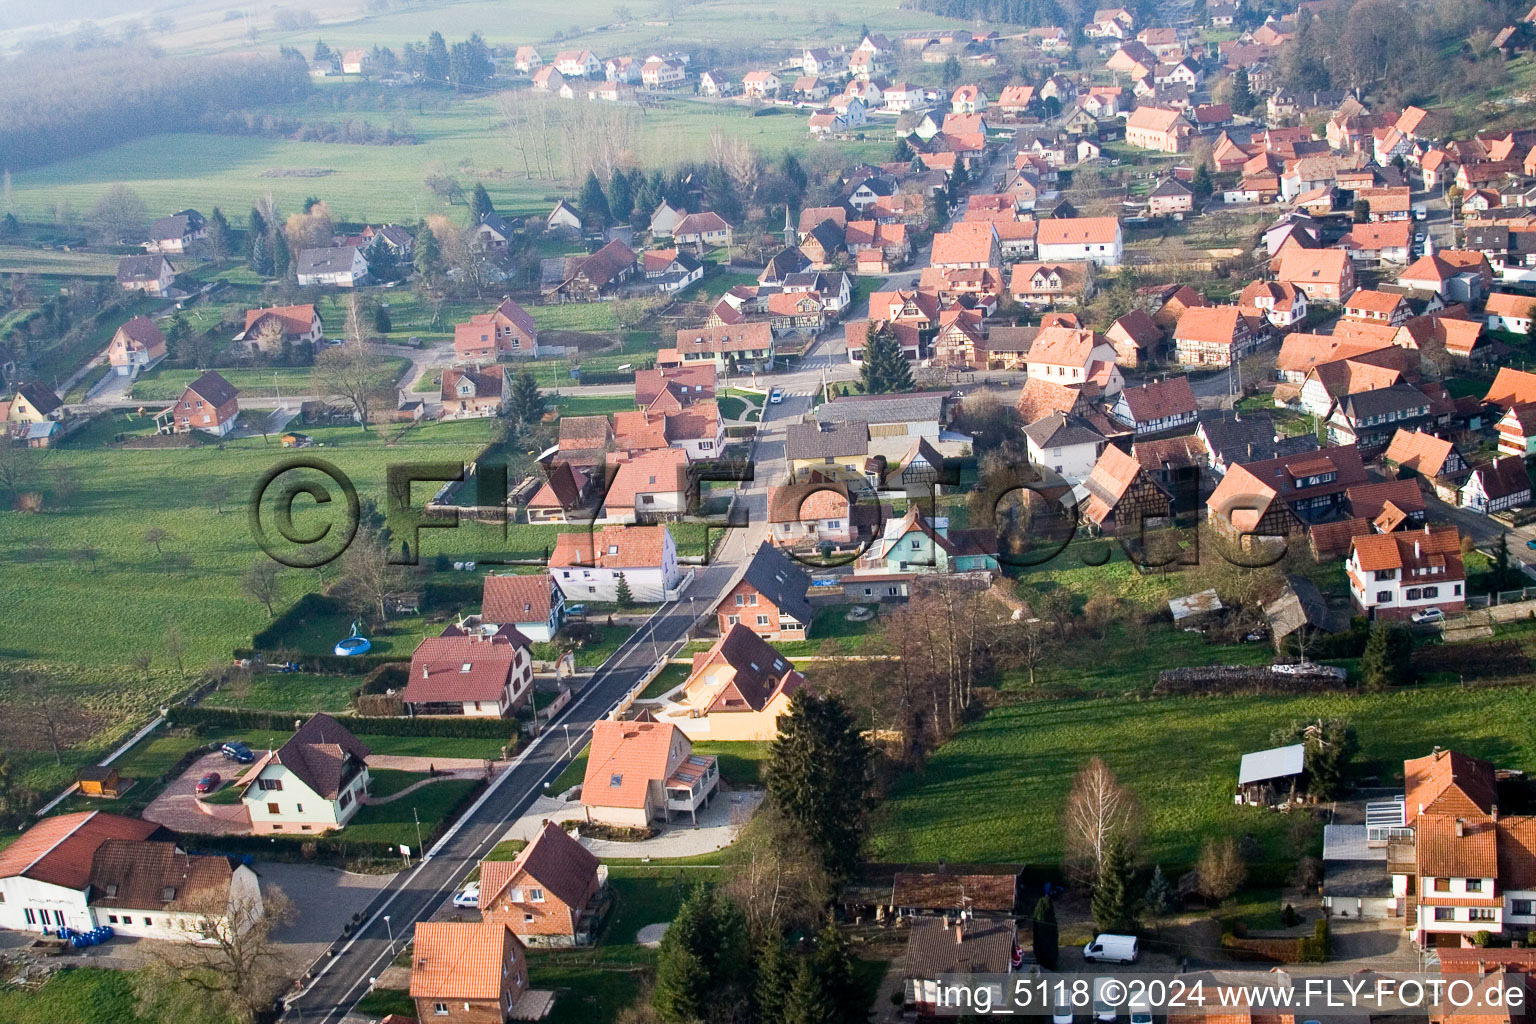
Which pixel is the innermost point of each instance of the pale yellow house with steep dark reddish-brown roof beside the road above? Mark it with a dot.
(737, 692)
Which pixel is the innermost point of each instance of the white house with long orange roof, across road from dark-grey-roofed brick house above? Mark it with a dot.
(589, 566)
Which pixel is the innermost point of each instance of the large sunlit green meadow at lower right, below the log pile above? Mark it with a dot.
(996, 791)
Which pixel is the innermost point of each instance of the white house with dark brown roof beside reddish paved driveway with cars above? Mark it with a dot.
(313, 784)
